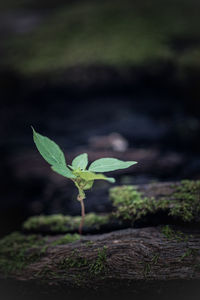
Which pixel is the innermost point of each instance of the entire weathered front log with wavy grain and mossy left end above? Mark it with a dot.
(129, 255)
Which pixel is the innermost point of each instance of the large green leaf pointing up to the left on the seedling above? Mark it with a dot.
(49, 150)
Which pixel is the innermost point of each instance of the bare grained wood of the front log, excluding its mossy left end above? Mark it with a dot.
(128, 255)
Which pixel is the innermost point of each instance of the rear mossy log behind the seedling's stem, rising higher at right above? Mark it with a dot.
(133, 206)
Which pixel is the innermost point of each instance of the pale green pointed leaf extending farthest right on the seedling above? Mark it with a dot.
(109, 164)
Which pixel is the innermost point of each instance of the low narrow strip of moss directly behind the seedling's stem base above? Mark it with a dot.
(61, 223)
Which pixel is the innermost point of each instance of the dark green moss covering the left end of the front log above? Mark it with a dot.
(18, 250)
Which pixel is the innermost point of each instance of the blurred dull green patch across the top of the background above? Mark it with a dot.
(115, 33)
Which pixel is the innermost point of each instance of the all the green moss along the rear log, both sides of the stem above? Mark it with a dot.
(130, 204)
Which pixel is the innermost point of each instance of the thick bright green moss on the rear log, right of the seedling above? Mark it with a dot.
(183, 202)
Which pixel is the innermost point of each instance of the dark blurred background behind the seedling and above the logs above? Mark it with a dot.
(110, 78)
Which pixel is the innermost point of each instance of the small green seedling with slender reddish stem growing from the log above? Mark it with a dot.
(77, 172)
